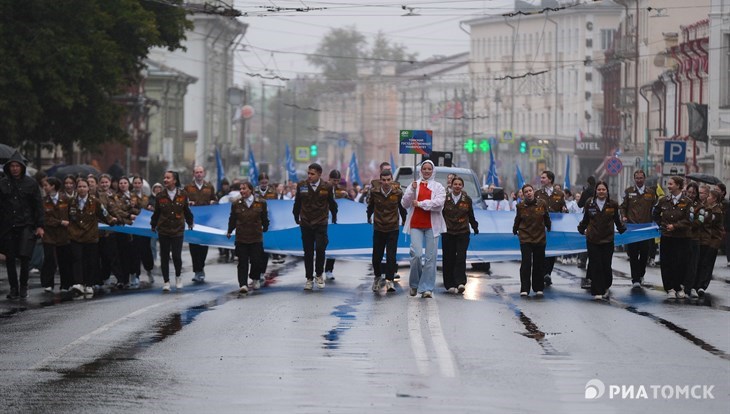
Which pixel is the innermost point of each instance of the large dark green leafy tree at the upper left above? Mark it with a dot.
(64, 62)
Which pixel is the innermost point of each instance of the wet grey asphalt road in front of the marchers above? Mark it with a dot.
(346, 349)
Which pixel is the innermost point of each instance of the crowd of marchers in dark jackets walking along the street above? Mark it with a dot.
(693, 221)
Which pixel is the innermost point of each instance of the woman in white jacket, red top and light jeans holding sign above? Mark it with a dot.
(424, 200)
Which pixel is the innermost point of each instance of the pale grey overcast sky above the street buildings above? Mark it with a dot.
(279, 40)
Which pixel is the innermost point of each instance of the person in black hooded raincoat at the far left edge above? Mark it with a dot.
(21, 222)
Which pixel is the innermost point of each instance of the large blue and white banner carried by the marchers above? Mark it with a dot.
(351, 237)
